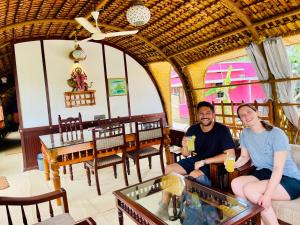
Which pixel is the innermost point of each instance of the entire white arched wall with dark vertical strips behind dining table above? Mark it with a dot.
(144, 98)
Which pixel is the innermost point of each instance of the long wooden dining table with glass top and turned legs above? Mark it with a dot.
(58, 151)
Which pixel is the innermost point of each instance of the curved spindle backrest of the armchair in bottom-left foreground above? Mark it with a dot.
(34, 200)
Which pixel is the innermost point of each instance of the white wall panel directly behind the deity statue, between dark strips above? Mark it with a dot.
(59, 70)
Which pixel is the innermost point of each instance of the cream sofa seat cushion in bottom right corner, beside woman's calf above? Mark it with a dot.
(288, 211)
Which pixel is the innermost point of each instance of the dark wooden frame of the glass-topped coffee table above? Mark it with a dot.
(140, 215)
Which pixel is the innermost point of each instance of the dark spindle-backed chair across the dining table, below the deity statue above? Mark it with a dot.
(71, 129)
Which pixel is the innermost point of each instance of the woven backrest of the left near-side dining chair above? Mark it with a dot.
(108, 140)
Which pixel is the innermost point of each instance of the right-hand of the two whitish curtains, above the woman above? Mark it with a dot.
(281, 68)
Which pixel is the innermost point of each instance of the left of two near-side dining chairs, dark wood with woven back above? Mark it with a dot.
(108, 143)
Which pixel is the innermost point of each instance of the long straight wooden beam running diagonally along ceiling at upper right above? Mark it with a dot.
(257, 24)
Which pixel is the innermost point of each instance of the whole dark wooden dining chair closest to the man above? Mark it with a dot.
(148, 134)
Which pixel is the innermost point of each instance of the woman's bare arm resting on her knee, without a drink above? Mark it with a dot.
(279, 162)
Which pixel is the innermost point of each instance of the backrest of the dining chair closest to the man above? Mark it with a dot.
(149, 133)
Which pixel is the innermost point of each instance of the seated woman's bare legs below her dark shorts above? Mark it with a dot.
(255, 190)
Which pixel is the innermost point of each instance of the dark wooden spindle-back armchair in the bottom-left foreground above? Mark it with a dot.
(62, 219)
